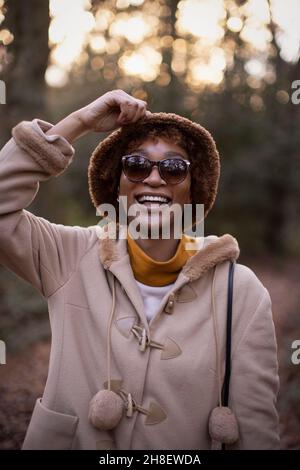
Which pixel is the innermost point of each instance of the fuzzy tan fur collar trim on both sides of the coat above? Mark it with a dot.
(214, 251)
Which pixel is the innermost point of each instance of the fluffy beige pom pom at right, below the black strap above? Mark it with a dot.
(223, 426)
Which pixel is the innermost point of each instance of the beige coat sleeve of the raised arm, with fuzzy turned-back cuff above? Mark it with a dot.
(42, 253)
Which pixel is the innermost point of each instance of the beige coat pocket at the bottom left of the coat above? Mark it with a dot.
(50, 430)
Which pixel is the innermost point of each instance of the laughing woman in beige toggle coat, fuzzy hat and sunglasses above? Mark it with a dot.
(138, 325)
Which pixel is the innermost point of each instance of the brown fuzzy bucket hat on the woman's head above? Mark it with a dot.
(105, 164)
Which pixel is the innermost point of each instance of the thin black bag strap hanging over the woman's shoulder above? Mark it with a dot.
(228, 338)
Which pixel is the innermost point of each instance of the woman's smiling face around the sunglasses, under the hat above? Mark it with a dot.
(153, 190)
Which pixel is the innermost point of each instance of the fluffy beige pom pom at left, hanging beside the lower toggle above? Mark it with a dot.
(105, 410)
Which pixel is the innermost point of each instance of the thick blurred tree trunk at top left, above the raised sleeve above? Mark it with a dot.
(28, 54)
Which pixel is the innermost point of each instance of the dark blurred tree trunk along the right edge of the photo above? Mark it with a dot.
(284, 162)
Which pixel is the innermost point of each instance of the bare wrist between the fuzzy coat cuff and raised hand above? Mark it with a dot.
(71, 127)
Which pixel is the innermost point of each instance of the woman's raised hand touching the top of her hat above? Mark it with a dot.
(112, 110)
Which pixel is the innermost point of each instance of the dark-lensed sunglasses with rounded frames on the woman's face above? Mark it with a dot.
(172, 170)
